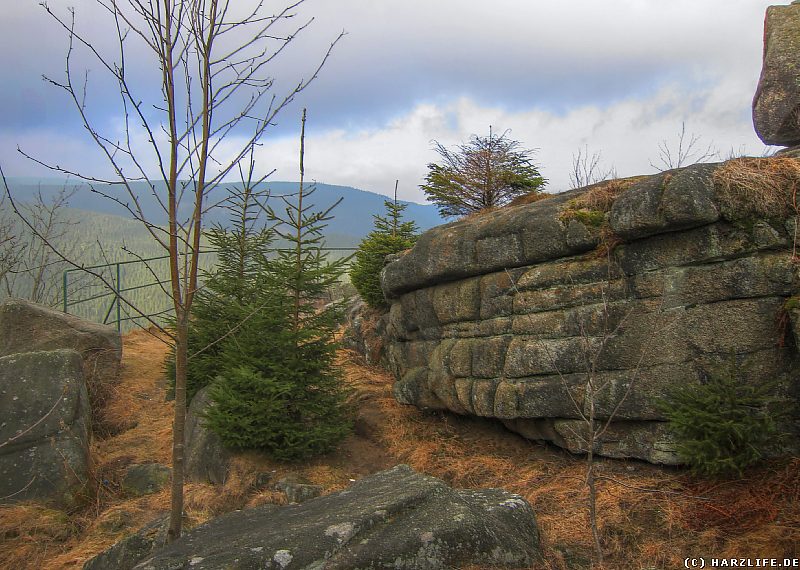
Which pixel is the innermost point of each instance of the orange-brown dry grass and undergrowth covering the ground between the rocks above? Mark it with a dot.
(650, 517)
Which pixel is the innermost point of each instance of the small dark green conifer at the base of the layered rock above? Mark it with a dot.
(726, 424)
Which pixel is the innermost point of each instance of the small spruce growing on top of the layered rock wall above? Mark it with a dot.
(486, 172)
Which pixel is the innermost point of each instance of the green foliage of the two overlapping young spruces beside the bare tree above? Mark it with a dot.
(262, 334)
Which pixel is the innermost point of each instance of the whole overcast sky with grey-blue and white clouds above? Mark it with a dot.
(616, 77)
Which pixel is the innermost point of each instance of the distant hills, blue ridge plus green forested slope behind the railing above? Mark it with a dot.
(97, 231)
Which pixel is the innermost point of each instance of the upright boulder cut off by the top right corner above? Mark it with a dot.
(776, 106)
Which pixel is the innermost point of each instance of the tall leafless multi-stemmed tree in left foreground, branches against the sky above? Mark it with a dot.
(214, 87)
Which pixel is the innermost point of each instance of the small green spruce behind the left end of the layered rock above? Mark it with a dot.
(391, 235)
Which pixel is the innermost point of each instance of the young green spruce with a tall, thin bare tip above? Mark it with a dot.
(287, 398)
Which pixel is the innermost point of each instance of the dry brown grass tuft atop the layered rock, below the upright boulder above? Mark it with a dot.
(765, 187)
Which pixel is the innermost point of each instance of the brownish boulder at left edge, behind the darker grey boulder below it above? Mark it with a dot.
(26, 327)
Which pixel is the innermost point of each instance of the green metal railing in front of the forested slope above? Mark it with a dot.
(115, 289)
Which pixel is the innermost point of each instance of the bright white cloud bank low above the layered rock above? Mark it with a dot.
(627, 133)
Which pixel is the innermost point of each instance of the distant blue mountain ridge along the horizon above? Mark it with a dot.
(352, 220)
